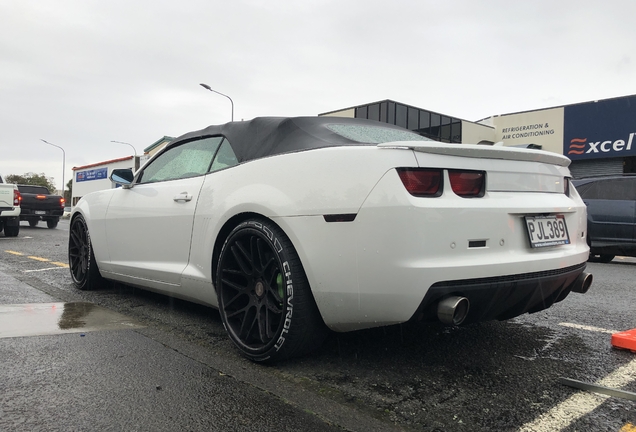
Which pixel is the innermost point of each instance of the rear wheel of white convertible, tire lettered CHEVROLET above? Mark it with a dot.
(268, 317)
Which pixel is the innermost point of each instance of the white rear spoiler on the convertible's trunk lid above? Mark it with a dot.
(481, 151)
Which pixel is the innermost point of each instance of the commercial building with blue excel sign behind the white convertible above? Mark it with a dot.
(598, 136)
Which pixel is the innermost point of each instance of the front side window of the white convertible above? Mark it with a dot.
(189, 159)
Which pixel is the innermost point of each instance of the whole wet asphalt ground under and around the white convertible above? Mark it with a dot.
(132, 360)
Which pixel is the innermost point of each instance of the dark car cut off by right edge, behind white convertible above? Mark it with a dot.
(611, 215)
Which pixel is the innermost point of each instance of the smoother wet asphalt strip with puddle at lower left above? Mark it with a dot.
(83, 370)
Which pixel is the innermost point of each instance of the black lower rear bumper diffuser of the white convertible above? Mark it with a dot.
(502, 297)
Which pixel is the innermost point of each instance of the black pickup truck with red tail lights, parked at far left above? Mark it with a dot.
(38, 204)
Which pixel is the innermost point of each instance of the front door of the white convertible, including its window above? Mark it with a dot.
(149, 225)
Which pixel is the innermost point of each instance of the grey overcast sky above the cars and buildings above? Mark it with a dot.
(81, 73)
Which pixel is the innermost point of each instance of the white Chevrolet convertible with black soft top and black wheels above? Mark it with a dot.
(292, 226)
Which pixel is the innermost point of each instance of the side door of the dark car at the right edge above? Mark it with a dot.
(611, 208)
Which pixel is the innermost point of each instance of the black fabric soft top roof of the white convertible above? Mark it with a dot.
(268, 136)
